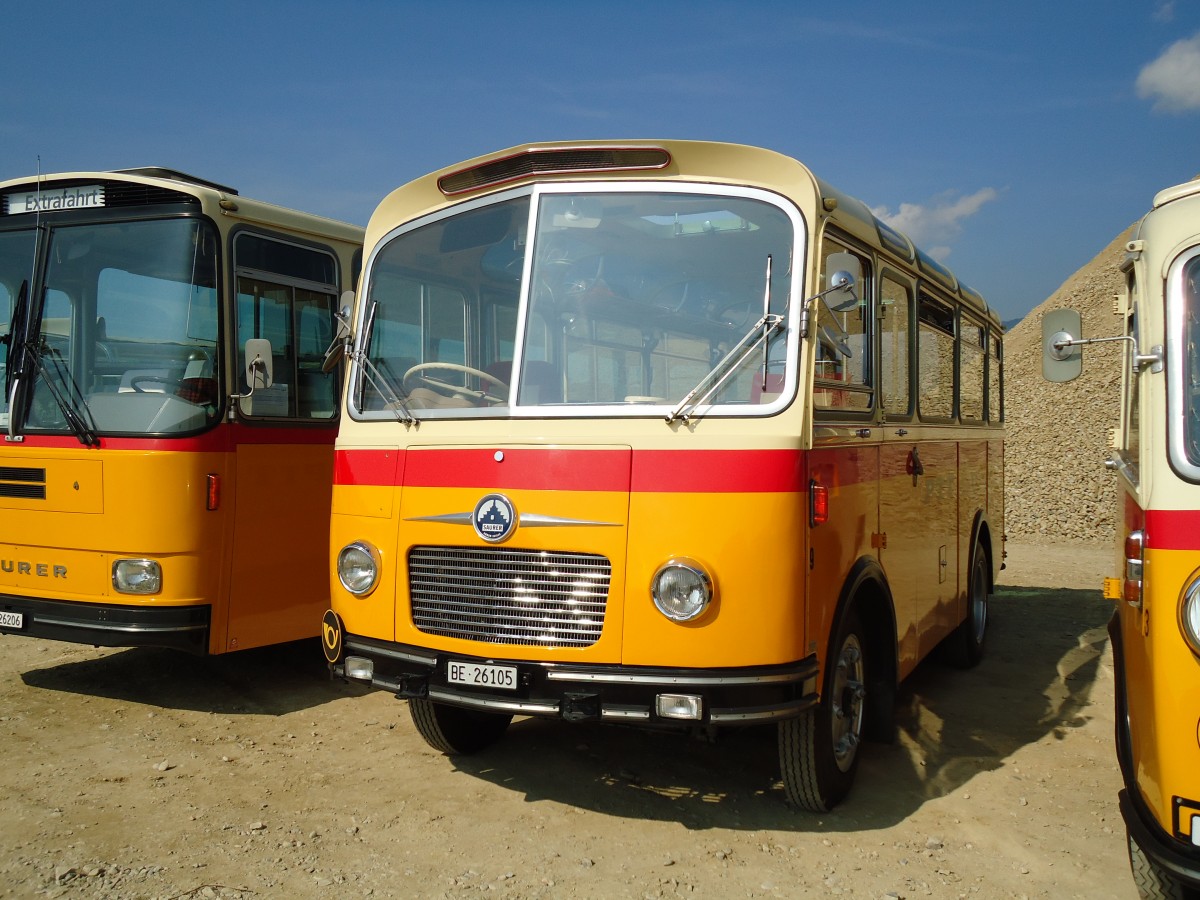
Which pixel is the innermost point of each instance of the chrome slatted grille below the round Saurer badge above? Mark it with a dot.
(520, 597)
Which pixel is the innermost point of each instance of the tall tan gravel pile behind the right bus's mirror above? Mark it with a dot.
(1059, 435)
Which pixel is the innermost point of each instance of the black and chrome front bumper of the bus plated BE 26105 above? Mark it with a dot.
(584, 693)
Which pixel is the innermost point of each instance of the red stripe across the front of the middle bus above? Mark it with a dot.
(571, 470)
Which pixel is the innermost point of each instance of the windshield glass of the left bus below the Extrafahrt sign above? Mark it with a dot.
(125, 317)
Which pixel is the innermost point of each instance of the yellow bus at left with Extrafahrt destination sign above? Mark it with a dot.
(167, 427)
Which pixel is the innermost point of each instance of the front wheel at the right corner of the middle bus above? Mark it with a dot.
(819, 751)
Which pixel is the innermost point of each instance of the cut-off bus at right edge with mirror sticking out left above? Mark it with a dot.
(1156, 627)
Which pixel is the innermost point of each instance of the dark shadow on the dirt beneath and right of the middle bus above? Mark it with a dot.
(1035, 683)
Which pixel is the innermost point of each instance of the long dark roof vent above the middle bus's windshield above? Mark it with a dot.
(555, 161)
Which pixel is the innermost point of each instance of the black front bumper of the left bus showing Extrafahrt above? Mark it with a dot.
(184, 628)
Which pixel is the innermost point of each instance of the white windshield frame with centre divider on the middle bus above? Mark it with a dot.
(787, 304)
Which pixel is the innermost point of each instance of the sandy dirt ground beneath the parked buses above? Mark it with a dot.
(153, 775)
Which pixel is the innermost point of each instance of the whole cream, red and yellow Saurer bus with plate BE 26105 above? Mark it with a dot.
(670, 435)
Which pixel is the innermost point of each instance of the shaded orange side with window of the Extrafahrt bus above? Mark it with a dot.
(287, 296)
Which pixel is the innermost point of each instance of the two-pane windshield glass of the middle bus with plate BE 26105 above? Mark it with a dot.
(580, 301)
